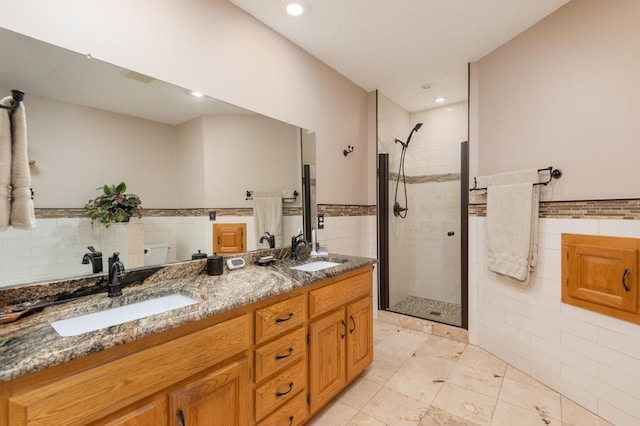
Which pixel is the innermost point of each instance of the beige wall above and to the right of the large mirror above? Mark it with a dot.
(214, 47)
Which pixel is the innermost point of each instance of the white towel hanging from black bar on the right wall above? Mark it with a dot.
(512, 224)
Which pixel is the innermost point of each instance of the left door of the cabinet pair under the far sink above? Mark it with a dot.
(327, 373)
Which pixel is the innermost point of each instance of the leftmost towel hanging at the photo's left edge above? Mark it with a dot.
(5, 164)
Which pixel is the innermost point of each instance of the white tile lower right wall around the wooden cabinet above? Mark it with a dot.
(591, 358)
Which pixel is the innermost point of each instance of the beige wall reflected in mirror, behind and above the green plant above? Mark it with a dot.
(79, 149)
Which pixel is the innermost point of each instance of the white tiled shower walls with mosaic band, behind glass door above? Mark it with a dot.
(424, 259)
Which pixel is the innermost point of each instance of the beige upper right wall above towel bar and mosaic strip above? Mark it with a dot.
(565, 94)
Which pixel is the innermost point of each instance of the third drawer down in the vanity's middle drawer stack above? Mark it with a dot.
(280, 389)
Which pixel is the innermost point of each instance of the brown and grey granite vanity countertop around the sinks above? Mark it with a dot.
(31, 344)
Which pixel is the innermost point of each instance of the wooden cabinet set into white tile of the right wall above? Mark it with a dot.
(601, 274)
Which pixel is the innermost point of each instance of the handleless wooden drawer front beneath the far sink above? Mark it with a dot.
(335, 295)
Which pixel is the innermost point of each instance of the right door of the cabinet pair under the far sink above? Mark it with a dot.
(359, 337)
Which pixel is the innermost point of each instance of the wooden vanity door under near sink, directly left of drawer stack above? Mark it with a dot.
(220, 398)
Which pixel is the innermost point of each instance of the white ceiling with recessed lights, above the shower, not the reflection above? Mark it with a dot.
(396, 46)
